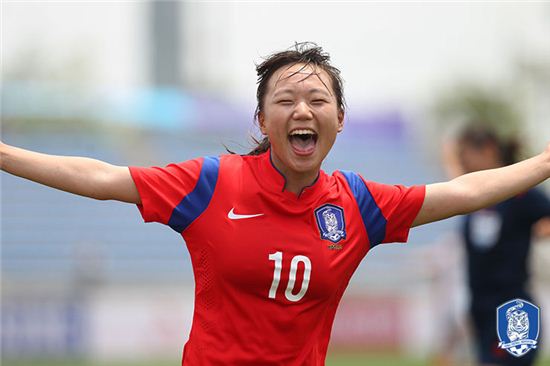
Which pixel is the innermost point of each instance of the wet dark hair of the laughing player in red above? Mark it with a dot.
(307, 53)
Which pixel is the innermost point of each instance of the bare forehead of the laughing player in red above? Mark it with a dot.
(300, 75)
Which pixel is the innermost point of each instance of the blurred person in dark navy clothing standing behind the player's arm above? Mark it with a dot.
(497, 239)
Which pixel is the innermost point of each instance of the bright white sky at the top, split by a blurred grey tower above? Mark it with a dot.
(397, 52)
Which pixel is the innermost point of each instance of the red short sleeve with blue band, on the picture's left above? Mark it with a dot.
(176, 194)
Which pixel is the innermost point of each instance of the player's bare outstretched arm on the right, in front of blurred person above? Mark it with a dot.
(473, 191)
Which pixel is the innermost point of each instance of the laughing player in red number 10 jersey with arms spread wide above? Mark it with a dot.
(273, 239)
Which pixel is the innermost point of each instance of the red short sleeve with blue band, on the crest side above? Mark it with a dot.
(387, 211)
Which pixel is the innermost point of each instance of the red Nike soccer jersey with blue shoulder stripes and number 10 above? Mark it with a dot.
(270, 267)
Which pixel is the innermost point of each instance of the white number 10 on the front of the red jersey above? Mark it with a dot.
(278, 258)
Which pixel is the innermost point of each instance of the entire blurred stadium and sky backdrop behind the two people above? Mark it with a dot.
(147, 83)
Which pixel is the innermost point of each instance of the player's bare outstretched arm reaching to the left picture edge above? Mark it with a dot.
(83, 176)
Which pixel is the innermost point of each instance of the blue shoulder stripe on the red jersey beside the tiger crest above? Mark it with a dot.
(374, 221)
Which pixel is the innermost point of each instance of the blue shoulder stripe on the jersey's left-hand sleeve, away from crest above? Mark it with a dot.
(194, 204)
